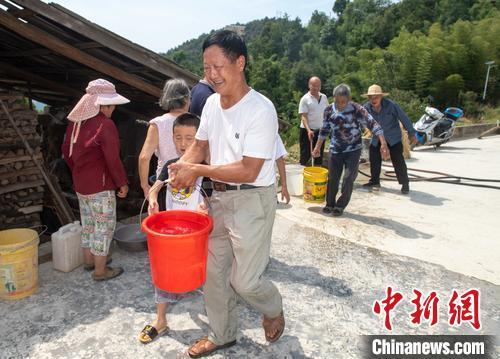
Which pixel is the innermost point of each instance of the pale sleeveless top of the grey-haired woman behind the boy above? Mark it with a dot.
(166, 148)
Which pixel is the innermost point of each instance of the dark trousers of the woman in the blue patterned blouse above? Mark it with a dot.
(338, 163)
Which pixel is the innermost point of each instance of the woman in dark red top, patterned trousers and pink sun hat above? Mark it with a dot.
(92, 151)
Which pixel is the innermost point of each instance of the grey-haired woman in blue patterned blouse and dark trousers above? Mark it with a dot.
(344, 121)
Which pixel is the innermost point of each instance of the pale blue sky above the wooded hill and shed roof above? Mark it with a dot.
(162, 25)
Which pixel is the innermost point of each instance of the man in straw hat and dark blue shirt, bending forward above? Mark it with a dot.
(388, 114)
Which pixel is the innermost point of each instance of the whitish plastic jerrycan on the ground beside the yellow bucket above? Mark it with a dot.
(67, 252)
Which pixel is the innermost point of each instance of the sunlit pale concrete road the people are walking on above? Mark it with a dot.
(330, 271)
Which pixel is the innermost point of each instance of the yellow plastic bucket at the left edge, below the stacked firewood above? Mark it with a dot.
(18, 263)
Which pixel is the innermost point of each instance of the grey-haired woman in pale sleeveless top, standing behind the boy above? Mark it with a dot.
(159, 139)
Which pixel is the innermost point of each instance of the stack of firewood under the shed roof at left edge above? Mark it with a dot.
(22, 185)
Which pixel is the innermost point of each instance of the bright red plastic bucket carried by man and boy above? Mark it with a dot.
(178, 248)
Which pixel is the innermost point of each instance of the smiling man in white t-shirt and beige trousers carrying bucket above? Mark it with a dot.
(238, 126)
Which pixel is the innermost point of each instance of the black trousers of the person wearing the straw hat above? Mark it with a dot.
(398, 161)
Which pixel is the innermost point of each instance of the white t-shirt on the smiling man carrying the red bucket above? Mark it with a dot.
(248, 128)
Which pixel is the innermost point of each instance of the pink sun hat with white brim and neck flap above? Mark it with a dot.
(99, 92)
